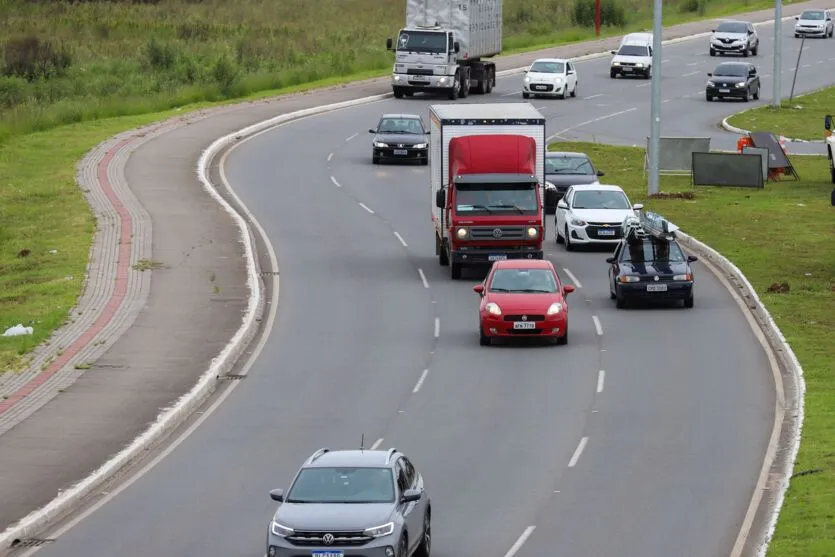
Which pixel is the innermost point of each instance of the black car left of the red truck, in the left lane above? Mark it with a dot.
(400, 137)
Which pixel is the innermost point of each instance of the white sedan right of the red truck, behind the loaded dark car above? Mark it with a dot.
(592, 214)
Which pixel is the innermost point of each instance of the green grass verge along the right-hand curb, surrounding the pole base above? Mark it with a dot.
(782, 233)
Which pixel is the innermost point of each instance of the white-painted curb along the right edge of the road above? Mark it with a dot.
(781, 463)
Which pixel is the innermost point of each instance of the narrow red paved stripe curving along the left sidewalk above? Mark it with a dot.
(116, 298)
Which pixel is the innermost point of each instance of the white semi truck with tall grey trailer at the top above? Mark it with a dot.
(440, 49)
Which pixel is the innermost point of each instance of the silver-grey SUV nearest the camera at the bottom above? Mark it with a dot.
(352, 503)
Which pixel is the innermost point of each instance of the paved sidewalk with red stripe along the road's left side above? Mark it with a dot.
(141, 338)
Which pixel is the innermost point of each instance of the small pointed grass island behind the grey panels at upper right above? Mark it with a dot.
(802, 118)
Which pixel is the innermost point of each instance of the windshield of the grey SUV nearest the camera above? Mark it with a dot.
(342, 485)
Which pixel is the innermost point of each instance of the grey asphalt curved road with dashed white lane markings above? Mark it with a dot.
(656, 457)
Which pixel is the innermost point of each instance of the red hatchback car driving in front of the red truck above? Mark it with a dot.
(523, 297)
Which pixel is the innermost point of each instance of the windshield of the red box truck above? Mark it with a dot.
(483, 199)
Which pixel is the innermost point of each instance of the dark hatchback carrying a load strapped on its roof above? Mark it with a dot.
(650, 269)
